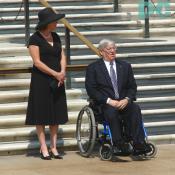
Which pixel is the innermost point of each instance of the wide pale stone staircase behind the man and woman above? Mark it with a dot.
(152, 61)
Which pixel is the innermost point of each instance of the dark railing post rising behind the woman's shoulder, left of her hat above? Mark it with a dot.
(27, 24)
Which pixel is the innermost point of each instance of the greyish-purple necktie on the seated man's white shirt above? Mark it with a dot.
(114, 80)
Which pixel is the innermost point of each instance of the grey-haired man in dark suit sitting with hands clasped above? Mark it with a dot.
(110, 84)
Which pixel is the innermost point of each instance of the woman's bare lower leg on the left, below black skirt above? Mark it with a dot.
(41, 136)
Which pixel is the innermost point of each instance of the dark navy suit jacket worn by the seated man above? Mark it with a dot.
(99, 86)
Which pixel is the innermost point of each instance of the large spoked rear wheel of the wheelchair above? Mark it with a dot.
(86, 131)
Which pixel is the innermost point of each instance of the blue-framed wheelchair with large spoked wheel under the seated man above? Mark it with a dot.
(88, 134)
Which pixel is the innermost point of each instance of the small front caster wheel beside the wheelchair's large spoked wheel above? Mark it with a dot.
(105, 152)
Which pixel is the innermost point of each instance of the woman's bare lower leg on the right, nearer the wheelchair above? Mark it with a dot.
(53, 138)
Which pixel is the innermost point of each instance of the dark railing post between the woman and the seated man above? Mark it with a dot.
(67, 48)
